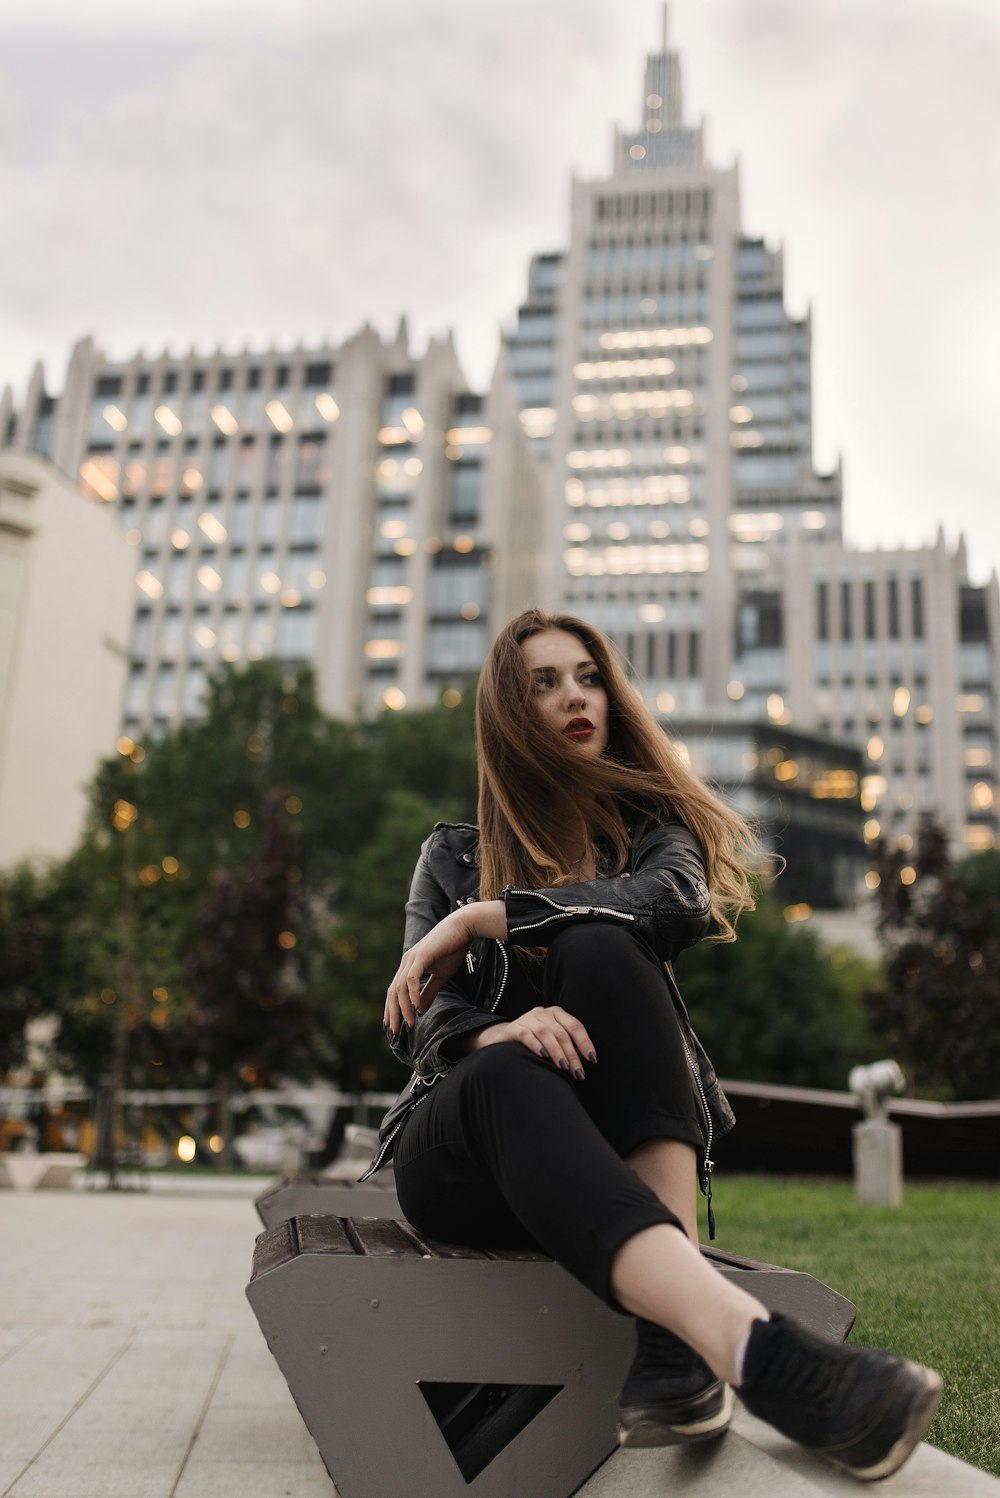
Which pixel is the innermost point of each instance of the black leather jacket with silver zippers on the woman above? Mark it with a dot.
(662, 894)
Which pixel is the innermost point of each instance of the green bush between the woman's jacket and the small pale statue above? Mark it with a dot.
(776, 1006)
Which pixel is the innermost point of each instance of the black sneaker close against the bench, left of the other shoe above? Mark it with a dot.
(671, 1397)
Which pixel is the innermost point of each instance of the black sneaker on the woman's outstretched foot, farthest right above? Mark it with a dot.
(862, 1409)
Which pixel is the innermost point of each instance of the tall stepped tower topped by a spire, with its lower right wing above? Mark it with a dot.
(667, 392)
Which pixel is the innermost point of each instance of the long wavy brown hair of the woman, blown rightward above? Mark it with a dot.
(544, 808)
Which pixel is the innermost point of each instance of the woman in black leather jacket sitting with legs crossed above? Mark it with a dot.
(561, 1099)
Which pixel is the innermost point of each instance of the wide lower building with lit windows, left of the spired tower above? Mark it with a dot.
(356, 509)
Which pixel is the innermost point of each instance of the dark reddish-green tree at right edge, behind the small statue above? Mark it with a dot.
(941, 1009)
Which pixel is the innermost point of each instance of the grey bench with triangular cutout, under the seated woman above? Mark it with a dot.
(439, 1371)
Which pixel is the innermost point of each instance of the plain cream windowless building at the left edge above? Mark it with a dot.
(67, 583)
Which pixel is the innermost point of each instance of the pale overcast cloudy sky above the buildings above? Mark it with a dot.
(180, 173)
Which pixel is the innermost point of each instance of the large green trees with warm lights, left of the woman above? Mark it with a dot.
(234, 906)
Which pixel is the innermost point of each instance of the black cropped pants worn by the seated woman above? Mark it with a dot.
(508, 1151)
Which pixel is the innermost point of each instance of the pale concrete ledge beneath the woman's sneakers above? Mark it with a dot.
(754, 1461)
